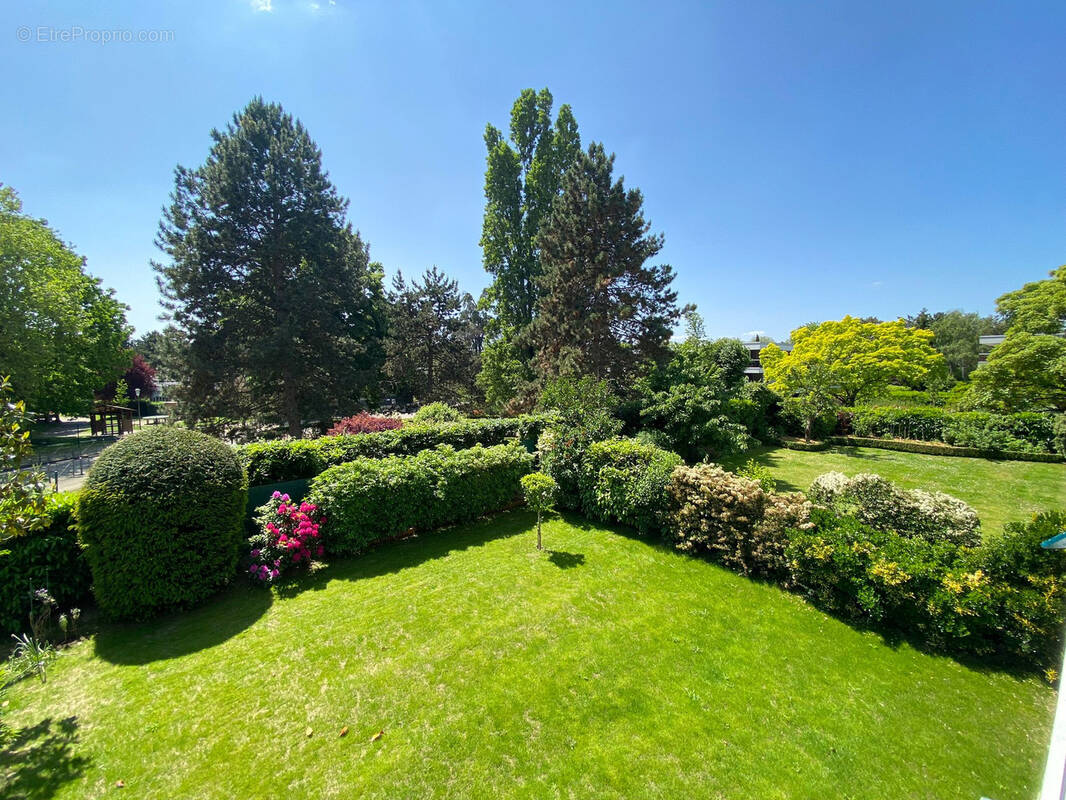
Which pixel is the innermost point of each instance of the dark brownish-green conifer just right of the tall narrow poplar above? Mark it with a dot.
(603, 311)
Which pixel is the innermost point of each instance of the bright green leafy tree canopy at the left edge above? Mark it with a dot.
(62, 335)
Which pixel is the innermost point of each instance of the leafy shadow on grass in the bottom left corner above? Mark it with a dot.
(37, 761)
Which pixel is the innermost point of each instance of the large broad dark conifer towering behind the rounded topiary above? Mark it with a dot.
(274, 292)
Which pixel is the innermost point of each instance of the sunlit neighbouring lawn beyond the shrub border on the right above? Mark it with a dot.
(1000, 491)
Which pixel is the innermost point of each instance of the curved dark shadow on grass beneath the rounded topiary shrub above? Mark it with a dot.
(182, 633)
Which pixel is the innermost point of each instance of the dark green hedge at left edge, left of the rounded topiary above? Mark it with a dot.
(47, 558)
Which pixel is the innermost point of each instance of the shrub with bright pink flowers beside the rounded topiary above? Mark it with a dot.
(288, 537)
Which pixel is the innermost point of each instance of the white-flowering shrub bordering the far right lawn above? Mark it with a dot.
(934, 517)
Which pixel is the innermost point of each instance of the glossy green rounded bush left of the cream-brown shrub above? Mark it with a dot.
(625, 481)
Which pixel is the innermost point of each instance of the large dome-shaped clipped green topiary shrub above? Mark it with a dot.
(161, 521)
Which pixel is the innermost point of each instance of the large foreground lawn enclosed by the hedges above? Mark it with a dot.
(609, 667)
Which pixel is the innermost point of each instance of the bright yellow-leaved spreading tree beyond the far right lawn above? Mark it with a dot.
(849, 360)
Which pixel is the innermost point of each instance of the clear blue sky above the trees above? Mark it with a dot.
(804, 161)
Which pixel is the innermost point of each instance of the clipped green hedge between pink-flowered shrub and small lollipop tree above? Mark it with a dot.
(372, 500)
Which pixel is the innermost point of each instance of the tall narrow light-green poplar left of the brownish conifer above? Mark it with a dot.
(522, 181)
